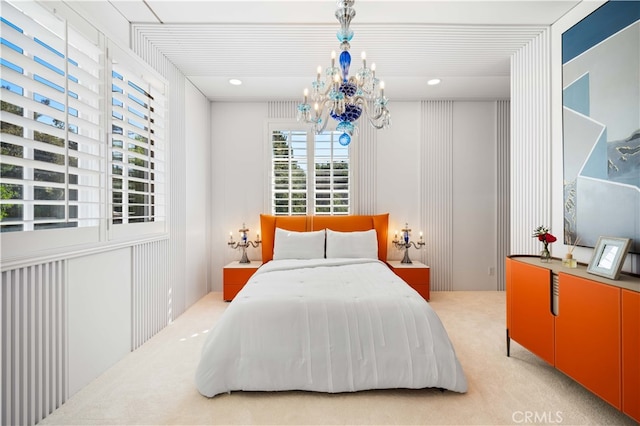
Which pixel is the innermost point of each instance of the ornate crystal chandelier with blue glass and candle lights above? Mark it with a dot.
(340, 96)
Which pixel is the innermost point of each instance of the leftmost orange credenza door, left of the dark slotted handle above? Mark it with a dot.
(530, 321)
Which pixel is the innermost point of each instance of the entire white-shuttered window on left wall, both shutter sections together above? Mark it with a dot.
(82, 135)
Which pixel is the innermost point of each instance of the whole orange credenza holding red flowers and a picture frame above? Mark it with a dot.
(584, 325)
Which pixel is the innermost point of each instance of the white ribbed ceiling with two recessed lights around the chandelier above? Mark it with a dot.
(275, 46)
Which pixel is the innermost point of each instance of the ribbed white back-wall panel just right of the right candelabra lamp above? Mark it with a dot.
(436, 186)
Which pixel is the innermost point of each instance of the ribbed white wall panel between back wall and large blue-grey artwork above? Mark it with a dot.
(530, 154)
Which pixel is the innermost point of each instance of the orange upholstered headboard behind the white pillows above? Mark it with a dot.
(269, 223)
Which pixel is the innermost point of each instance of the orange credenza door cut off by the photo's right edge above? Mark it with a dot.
(631, 353)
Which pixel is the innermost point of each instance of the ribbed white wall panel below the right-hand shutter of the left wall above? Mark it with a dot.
(151, 294)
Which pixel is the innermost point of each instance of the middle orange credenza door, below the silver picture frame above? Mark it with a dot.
(588, 335)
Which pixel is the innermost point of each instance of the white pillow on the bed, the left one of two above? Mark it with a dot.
(298, 245)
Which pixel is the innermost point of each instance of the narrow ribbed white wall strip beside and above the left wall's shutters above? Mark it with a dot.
(176, 176)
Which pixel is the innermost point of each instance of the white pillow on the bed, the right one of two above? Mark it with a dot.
(360, 244)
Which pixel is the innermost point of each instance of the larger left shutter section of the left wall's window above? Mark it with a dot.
(50, 145)
